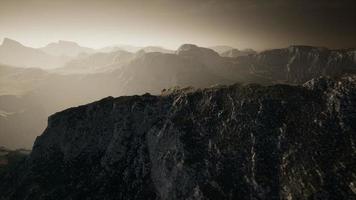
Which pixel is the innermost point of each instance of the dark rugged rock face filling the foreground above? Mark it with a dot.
(236, 142)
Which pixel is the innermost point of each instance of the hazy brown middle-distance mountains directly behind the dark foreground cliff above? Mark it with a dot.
(89, 77)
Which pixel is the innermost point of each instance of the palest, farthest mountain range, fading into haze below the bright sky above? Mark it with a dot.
(58, 54)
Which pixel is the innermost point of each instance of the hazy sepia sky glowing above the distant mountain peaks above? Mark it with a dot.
(258, 24)
